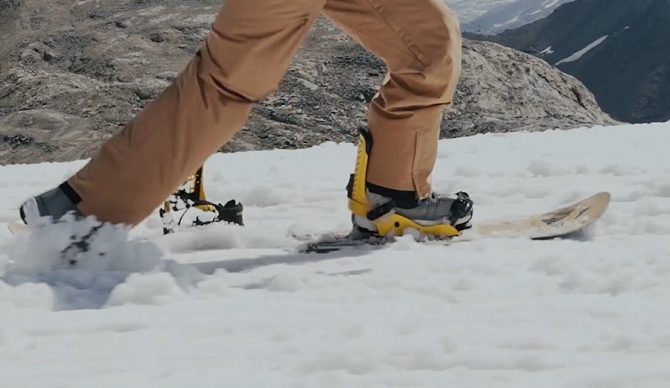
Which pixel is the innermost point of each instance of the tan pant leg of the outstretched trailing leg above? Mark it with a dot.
(243, 60)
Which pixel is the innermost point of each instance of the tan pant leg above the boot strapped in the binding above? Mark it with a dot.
(420, 42)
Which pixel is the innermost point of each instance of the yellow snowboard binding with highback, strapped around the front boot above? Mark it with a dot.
(385, 219)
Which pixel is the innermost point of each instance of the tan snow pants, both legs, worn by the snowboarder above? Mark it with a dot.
(243, 60)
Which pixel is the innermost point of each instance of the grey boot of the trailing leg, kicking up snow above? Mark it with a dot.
(54, 204)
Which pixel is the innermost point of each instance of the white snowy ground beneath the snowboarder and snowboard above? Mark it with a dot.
(250, 312)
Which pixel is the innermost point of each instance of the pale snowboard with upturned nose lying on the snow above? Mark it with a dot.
(564, 222)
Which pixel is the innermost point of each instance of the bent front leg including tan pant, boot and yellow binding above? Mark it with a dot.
(420, 42)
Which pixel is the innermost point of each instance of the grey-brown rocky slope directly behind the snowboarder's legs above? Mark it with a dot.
(72, 74)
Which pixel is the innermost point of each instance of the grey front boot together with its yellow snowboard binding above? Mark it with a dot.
(384, 212)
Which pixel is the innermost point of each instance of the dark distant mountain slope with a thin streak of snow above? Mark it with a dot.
(619, 48)
